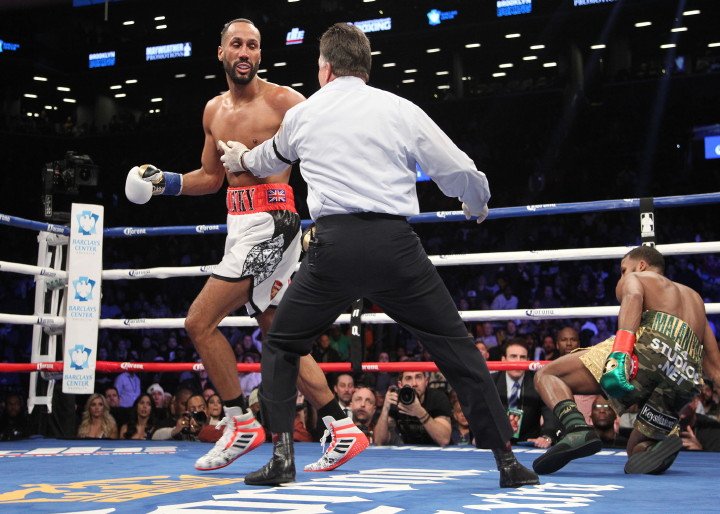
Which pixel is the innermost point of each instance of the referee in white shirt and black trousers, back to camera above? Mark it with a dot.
(358, 148)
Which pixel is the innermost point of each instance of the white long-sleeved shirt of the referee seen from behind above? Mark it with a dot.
(358, 147)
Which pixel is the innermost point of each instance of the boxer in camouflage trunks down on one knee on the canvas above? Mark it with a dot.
(655, 360)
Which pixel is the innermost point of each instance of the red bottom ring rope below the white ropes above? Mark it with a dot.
(328, 367)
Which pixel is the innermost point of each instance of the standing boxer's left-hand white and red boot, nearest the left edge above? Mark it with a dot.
(242, 434)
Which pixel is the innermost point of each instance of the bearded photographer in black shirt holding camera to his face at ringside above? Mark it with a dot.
(413, 412)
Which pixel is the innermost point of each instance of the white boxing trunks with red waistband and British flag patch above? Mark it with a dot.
(263, 242)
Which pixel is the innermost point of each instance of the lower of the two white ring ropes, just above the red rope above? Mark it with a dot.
(344, 319)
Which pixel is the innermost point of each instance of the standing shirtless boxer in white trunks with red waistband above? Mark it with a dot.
(263, 242)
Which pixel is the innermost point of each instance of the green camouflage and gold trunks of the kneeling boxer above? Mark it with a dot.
(669, 375)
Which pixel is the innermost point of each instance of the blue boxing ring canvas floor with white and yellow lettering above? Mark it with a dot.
(64, 476)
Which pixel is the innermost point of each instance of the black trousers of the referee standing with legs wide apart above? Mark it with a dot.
(378, 257)
